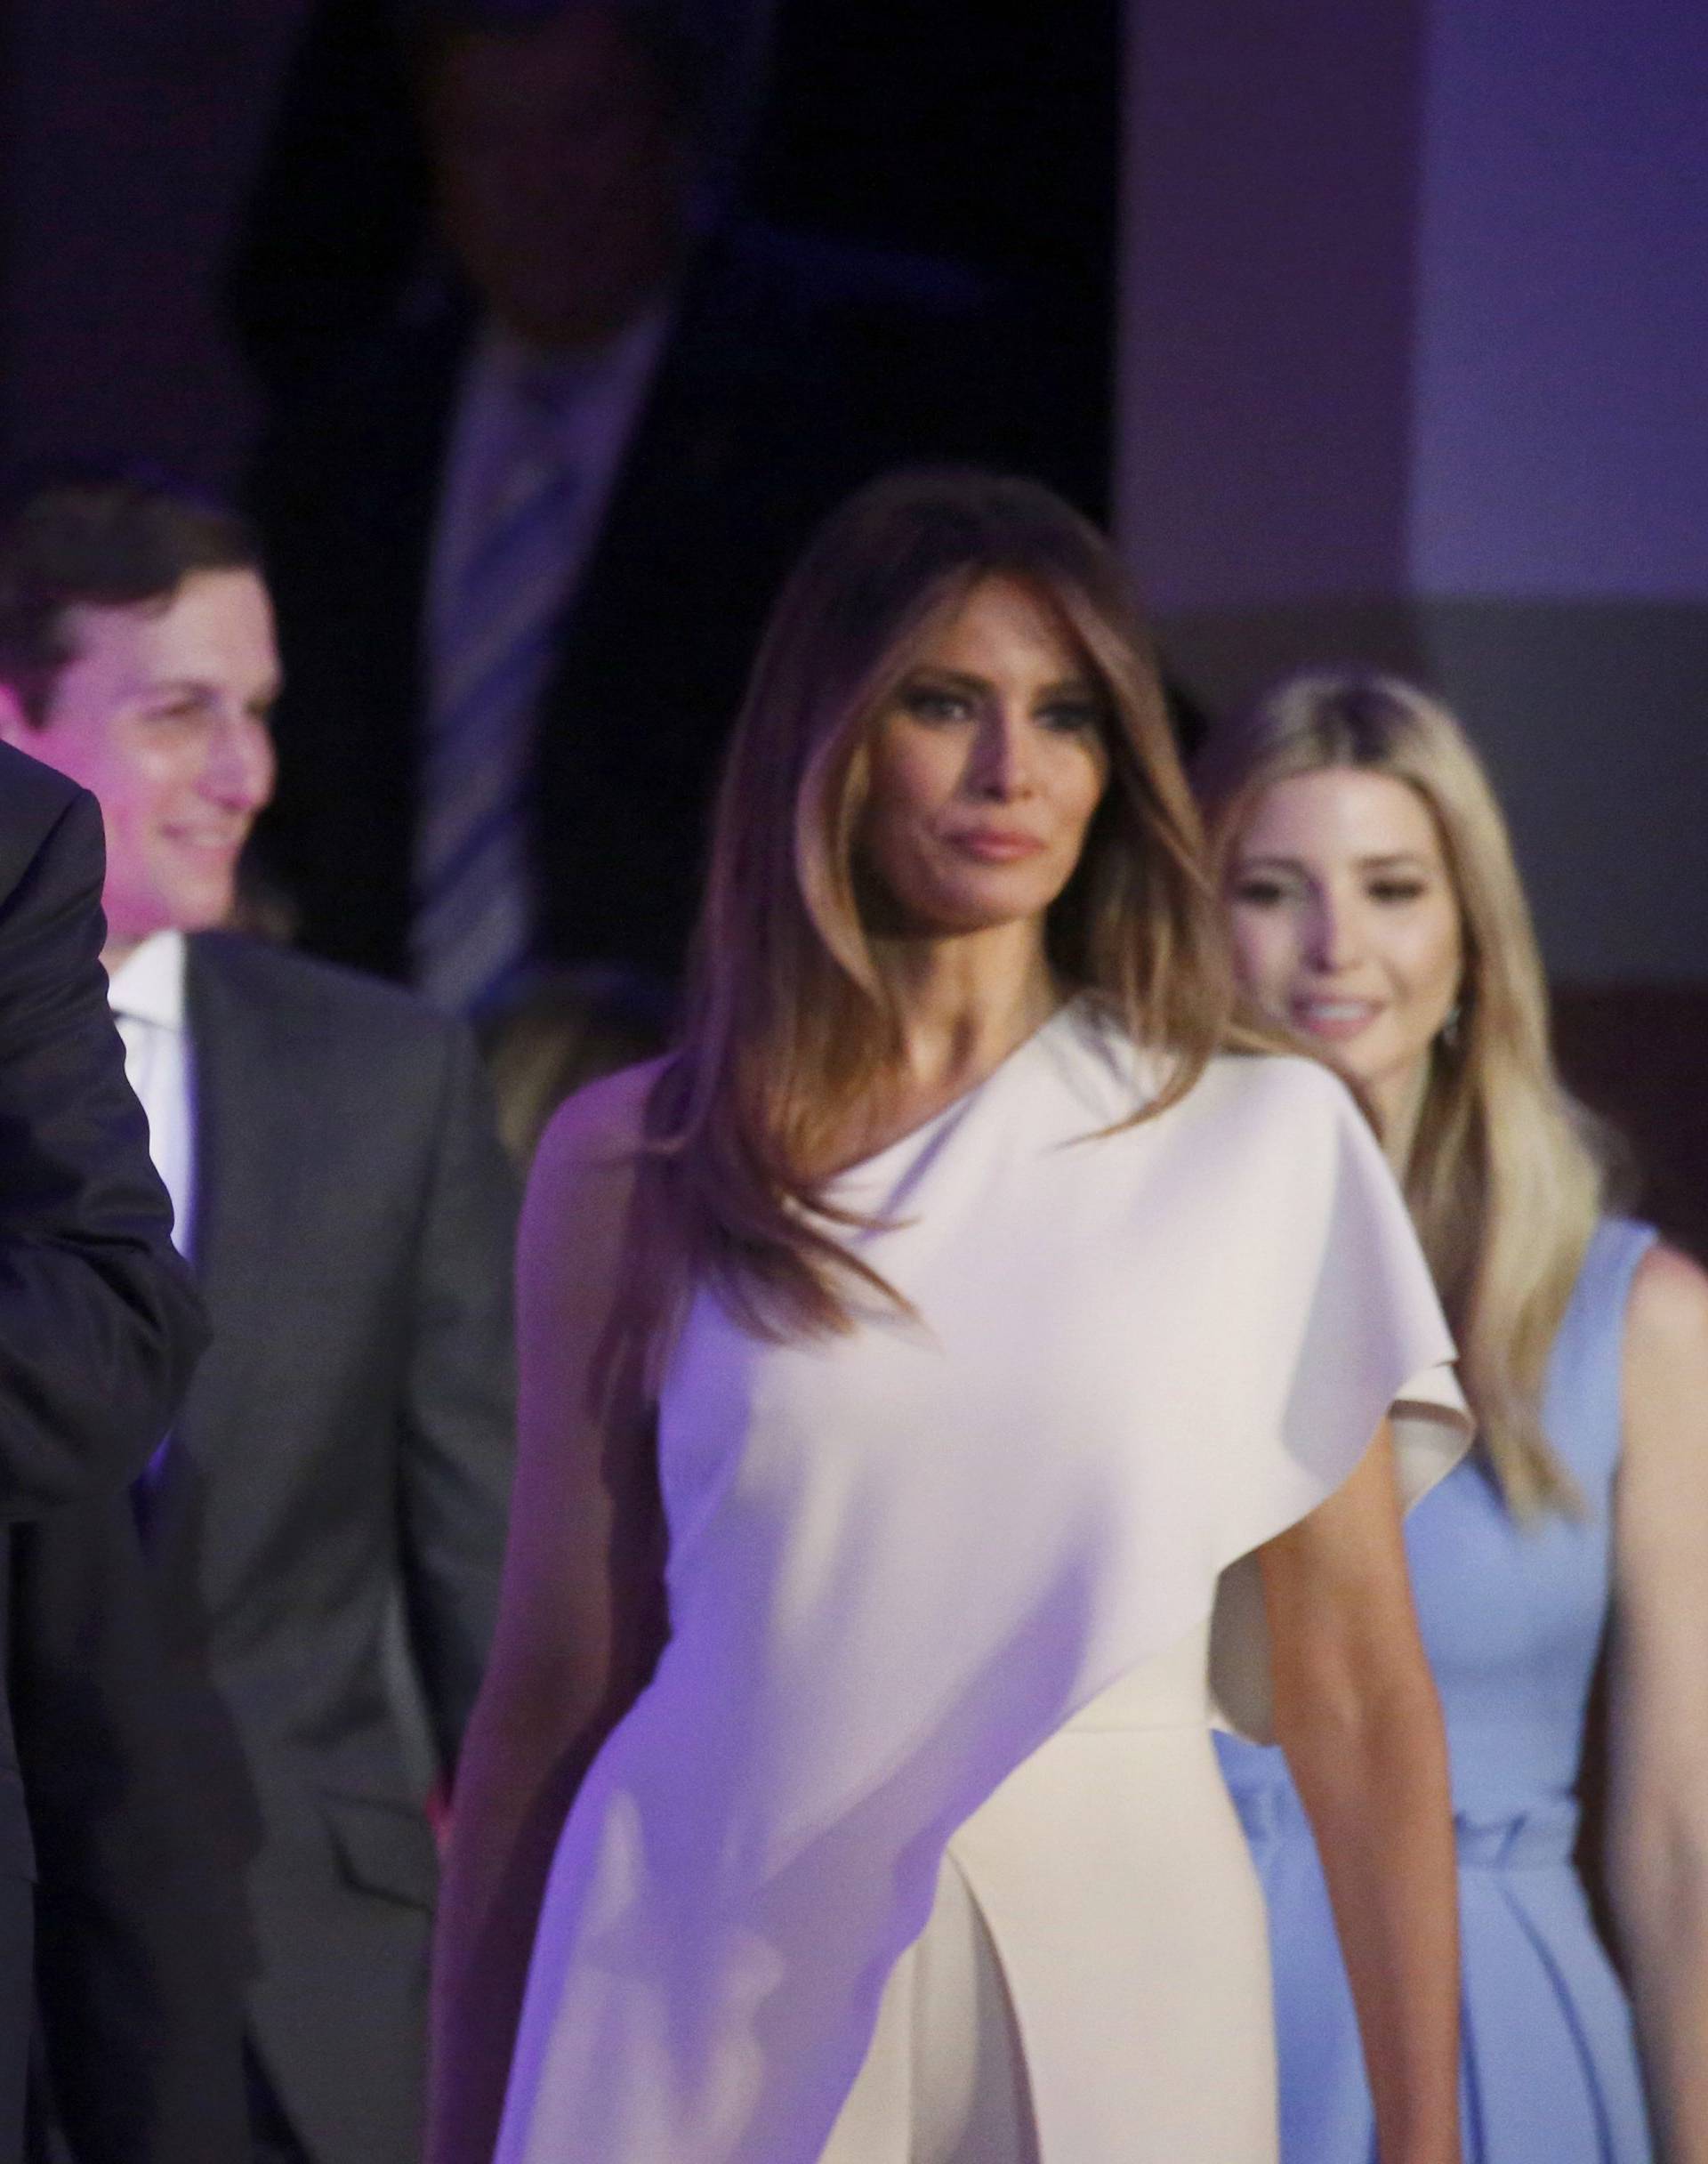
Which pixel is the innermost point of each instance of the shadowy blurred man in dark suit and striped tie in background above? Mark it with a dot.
(525, 542)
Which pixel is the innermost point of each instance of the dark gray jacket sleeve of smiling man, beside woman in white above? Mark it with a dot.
(460, 1414)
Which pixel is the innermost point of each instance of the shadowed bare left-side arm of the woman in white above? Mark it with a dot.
(581, 1611)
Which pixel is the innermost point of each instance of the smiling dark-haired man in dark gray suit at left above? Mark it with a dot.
(347, 1213)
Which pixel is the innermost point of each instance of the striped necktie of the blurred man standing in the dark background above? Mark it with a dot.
(475, 906)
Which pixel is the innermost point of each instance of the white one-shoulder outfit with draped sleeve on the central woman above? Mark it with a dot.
(915, 1851)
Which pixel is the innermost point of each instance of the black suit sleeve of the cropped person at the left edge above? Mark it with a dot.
(98, 1319)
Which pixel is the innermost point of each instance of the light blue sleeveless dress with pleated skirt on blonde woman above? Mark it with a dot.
(1512, 1622)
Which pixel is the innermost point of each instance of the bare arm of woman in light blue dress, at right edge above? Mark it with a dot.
(1659, 1700)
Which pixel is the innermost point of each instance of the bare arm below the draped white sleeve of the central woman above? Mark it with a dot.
(1363, 1730)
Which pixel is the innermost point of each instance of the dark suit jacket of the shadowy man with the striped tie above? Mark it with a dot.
(793, 373)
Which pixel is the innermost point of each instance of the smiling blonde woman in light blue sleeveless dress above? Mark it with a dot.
(1378, 912)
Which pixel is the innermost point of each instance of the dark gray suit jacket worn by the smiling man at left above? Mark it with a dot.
(350, 1431)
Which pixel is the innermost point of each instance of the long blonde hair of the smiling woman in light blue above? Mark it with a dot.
(1503, 1183)
